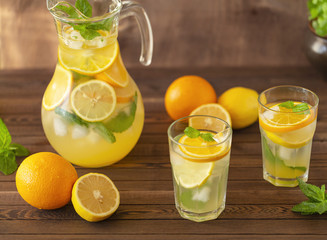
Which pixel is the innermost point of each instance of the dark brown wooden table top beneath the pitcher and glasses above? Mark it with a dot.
(254, 209)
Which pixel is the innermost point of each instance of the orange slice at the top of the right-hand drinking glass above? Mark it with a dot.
(281, 120)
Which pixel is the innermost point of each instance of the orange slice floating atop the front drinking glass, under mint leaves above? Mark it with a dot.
(202, 151)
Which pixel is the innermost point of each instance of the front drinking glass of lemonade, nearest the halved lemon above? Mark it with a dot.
(199, 148)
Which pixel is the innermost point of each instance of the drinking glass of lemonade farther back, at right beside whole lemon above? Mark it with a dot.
(287, 119)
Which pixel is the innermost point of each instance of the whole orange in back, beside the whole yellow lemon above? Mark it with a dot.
(187, 93)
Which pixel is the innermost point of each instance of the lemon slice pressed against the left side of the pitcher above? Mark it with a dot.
(58, 88)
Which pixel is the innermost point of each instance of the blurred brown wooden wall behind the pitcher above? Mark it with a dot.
(187, 33)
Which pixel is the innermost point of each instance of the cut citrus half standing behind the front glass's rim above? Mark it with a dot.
(211, 109)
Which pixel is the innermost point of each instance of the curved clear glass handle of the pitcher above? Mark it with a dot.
(131, 8)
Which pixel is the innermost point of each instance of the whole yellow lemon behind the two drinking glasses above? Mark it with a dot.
(242, 105)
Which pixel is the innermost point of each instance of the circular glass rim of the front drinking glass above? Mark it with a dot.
(228, 126)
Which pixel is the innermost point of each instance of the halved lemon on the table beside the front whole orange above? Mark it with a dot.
(95, 197)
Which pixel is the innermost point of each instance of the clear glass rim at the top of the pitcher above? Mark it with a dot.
(110, 14)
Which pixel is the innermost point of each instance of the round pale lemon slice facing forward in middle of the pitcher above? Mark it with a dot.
(94, 100)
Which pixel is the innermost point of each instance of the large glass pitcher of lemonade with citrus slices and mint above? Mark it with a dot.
(92, 110)
